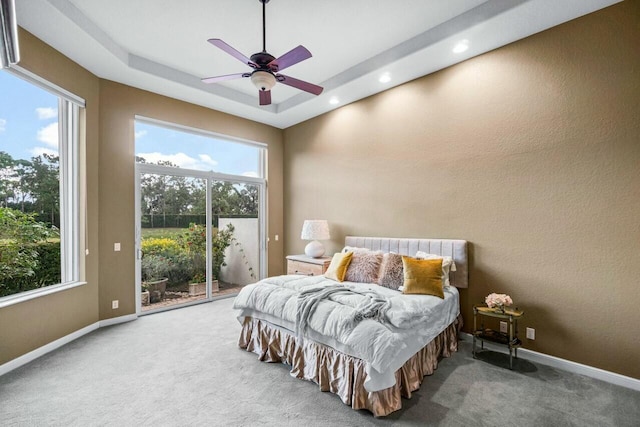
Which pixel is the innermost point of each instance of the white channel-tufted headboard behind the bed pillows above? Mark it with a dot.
(456, 249)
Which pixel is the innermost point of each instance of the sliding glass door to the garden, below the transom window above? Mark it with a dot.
(198, 237)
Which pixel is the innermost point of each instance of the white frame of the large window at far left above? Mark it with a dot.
(71, 225)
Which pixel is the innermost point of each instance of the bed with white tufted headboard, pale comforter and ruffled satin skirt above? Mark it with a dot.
(369, 344)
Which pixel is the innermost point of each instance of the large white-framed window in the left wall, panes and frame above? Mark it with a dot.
(39, 187)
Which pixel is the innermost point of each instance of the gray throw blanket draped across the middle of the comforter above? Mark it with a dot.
(308, 300)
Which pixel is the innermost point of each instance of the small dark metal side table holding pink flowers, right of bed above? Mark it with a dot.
(509, 339)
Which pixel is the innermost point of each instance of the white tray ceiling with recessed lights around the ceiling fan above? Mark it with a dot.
(161, 45)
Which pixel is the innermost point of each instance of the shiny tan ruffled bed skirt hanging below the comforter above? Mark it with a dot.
(342, 374)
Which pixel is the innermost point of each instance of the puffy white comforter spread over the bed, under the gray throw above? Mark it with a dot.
(407, 323)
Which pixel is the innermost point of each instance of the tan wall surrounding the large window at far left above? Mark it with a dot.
(32, 324)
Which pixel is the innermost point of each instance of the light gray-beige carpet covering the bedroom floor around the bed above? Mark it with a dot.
(183, 368)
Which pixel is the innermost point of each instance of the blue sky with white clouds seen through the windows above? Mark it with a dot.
(29, 127)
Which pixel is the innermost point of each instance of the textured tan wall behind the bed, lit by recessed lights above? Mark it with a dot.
(530, 152)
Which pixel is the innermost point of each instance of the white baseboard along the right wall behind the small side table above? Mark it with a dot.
(565, 365)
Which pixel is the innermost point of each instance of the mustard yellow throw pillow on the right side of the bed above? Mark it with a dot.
(422, 276)
